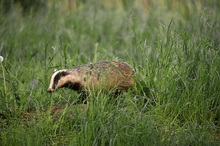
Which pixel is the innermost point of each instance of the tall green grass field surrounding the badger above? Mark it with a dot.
(176, 56)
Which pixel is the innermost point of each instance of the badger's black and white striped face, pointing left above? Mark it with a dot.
(55, 79)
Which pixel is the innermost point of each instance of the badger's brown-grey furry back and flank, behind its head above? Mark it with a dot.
(105, 75)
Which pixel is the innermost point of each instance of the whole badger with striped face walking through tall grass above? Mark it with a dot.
(103, 75)
